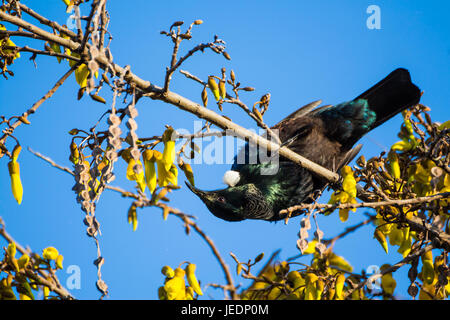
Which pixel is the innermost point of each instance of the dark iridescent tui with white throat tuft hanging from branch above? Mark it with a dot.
(324, 135)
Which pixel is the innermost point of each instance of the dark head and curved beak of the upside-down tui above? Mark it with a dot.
(227, 204)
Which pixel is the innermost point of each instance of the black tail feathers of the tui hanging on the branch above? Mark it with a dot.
(391, 95)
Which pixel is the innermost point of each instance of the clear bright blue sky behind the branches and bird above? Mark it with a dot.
(298, 51)
